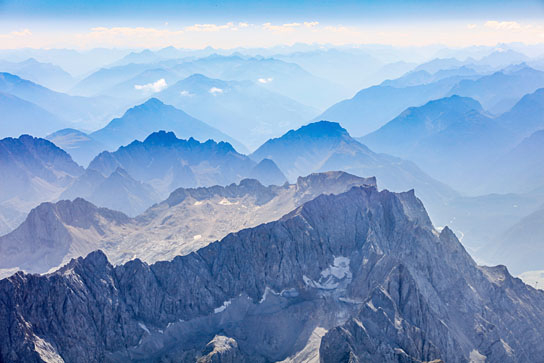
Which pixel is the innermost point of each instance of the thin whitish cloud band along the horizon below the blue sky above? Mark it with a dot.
(236, 34)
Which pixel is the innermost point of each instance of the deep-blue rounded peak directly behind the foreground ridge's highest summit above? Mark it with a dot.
(324, 146)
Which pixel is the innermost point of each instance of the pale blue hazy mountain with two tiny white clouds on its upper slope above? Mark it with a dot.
(247, 111)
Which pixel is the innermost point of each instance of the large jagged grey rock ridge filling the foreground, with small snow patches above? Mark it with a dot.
(365, 265)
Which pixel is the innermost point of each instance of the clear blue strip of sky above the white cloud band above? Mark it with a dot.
(216, 10)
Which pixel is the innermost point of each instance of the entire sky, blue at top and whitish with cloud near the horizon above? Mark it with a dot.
(229, 24)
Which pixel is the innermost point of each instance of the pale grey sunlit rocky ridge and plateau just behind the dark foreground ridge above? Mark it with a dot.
(186, 221)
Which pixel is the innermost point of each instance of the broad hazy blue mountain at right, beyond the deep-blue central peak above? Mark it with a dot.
(448, 138)
